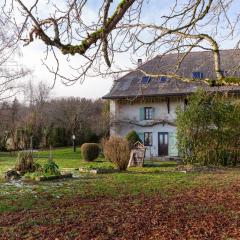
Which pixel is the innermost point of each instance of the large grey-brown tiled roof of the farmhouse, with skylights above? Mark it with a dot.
(130, 85)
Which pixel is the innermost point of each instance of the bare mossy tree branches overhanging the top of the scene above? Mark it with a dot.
(122, 26)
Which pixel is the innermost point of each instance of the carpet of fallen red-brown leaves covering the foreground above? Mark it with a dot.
(202, 213)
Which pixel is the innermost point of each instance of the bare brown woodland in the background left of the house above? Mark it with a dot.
(40, 121)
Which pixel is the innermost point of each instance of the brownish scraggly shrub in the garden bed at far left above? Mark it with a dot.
(25, 162)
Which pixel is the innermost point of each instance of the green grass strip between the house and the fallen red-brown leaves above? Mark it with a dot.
(149, 180)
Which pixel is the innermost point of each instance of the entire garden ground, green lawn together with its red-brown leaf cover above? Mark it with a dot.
(115, 196)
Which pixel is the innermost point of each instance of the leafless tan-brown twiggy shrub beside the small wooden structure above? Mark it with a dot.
(116, 150)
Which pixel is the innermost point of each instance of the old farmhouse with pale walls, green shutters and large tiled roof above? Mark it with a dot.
(148, 104)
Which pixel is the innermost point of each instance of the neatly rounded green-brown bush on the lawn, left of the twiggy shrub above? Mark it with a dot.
(90, 151)
